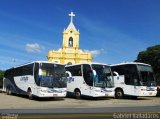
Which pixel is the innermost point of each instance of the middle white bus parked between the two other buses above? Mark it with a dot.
(90, 79)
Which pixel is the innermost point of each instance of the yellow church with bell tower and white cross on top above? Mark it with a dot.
(70, 52)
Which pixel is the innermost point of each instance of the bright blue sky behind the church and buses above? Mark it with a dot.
(113, 30)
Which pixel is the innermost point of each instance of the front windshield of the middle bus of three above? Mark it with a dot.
(103, 76)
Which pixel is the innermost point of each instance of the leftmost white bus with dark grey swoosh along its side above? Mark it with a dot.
(39, 78)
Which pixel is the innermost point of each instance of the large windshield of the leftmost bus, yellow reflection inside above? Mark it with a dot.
(52, 75)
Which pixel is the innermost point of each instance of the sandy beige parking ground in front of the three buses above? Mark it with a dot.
(22, 102)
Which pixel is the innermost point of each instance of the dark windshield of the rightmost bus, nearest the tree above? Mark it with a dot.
(146, 74)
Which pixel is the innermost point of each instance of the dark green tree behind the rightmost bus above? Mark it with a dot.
(151, 56)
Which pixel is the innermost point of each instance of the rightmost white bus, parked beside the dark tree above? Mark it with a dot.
(133, 79)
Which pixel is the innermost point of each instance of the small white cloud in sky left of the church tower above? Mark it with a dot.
(35, 47)
